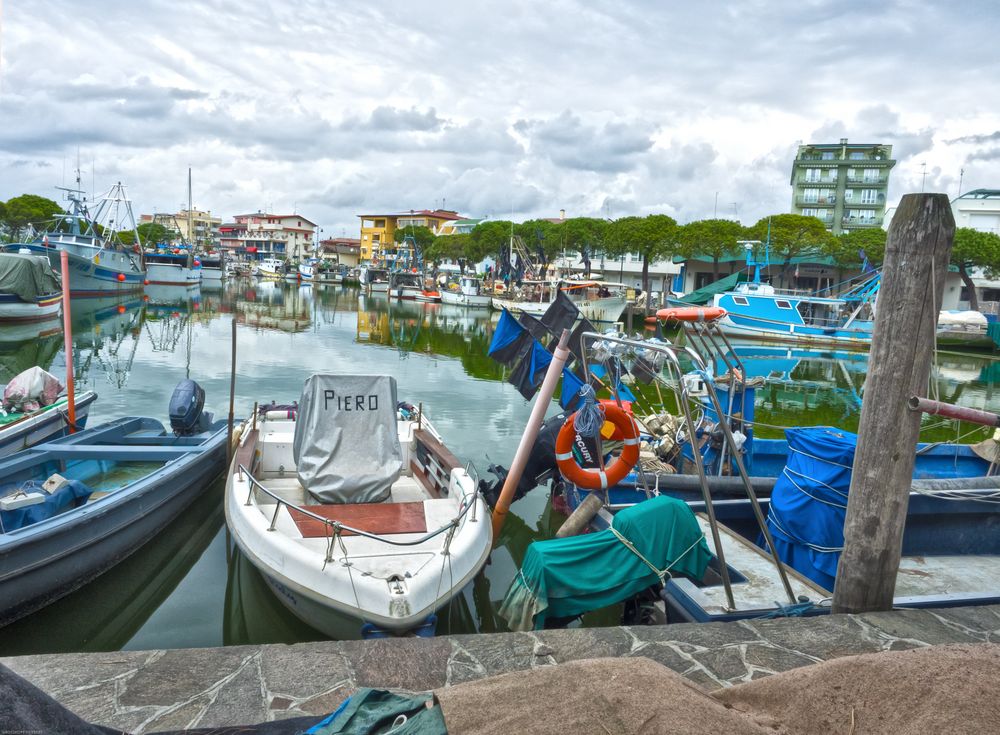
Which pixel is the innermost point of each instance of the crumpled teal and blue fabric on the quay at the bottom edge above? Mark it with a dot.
(378, 712)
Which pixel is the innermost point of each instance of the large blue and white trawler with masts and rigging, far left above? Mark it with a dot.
(97, 266)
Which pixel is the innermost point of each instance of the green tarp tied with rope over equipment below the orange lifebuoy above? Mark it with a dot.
(570, 576)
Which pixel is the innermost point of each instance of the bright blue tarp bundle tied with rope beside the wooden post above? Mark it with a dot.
(809, 501)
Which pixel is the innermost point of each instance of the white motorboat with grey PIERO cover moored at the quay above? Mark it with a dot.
(356, 537)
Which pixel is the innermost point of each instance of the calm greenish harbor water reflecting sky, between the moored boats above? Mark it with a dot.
(188, 587)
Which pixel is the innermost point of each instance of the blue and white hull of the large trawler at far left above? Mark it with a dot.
(94, 271)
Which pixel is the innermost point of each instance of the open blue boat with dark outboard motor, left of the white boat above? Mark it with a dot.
(74, 507)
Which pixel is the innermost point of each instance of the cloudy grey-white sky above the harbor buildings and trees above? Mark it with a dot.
(601, 108)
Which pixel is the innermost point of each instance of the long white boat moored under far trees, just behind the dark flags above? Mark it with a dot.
(597, 301)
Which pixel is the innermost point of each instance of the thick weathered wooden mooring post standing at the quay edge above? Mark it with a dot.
(909, 300)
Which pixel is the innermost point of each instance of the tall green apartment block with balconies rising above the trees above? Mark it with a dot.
(843, 184)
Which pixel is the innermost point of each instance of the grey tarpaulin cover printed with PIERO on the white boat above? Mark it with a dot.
(346, 445)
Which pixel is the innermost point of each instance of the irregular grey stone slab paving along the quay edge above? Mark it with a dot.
(146, 691)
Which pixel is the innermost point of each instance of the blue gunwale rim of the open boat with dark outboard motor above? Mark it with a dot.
(175, 459)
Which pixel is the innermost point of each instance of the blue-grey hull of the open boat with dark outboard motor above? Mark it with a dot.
(48, 560)
